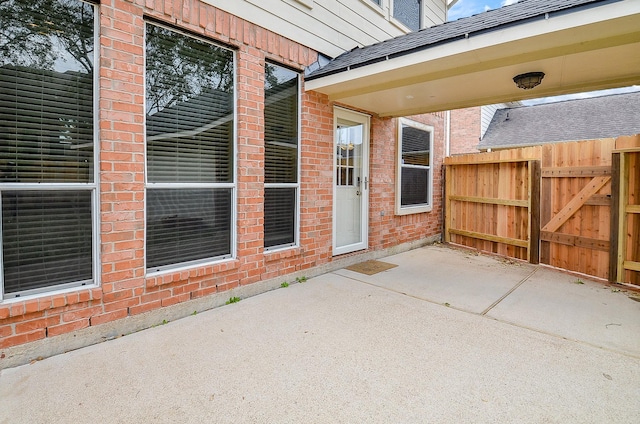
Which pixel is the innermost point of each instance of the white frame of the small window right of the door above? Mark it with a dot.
(428, 207)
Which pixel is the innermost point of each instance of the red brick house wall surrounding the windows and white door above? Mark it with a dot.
(125, 289)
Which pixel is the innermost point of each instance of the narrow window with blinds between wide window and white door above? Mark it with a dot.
(281, 120)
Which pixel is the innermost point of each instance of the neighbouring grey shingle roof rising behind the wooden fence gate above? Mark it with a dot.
(580, 119)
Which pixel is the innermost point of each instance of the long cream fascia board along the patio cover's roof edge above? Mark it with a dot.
(492, 38)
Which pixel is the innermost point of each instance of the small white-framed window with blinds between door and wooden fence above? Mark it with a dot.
(415, 145)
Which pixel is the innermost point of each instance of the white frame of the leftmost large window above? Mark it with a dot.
(93, 187)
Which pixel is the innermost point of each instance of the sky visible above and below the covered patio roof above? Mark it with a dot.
(464, 8)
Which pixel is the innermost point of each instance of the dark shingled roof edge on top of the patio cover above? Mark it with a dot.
(517, 13)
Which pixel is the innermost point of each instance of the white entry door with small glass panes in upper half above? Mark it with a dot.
(351, 181)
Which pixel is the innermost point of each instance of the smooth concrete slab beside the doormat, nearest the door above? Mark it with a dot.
(460, 278)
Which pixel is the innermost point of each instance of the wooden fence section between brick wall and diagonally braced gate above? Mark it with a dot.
(490, 205)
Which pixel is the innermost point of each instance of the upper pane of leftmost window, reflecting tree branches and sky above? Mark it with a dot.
(46, 91)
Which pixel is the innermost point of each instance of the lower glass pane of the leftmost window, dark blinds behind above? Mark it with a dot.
(46, 238)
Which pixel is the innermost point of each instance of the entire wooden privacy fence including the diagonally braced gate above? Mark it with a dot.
(559, 204)
